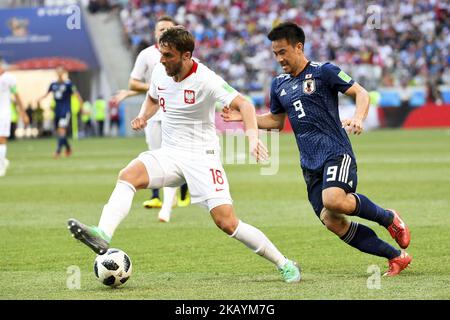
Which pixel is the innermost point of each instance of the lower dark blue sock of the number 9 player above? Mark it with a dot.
(365, 239)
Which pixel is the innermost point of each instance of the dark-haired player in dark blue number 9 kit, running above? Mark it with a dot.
(307, 93)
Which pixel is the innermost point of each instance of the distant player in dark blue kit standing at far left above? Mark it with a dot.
(62, 90)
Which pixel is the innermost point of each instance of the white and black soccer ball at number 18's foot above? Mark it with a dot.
(113, 268)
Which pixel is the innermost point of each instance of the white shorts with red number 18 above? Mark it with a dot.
(203, 173)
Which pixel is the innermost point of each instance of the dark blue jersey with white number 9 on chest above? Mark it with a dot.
(311, 103)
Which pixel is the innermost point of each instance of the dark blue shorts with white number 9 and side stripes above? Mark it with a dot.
(340, 171)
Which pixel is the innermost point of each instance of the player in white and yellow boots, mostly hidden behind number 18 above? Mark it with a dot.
(139, 83)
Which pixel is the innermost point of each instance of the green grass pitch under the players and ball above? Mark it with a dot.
(190, 258)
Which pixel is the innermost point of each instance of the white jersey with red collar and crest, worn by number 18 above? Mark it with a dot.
(188, 107)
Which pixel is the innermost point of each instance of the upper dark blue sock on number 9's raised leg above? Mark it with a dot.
(366, 209)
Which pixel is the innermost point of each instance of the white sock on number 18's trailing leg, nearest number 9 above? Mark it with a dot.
(254, 239)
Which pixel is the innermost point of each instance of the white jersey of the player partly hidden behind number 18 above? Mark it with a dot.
(143, 68)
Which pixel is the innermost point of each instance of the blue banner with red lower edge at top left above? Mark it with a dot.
(45, 37)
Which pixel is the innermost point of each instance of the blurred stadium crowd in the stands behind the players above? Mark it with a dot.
(392, 43)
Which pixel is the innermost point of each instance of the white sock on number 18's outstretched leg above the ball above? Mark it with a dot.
(117, 208)
